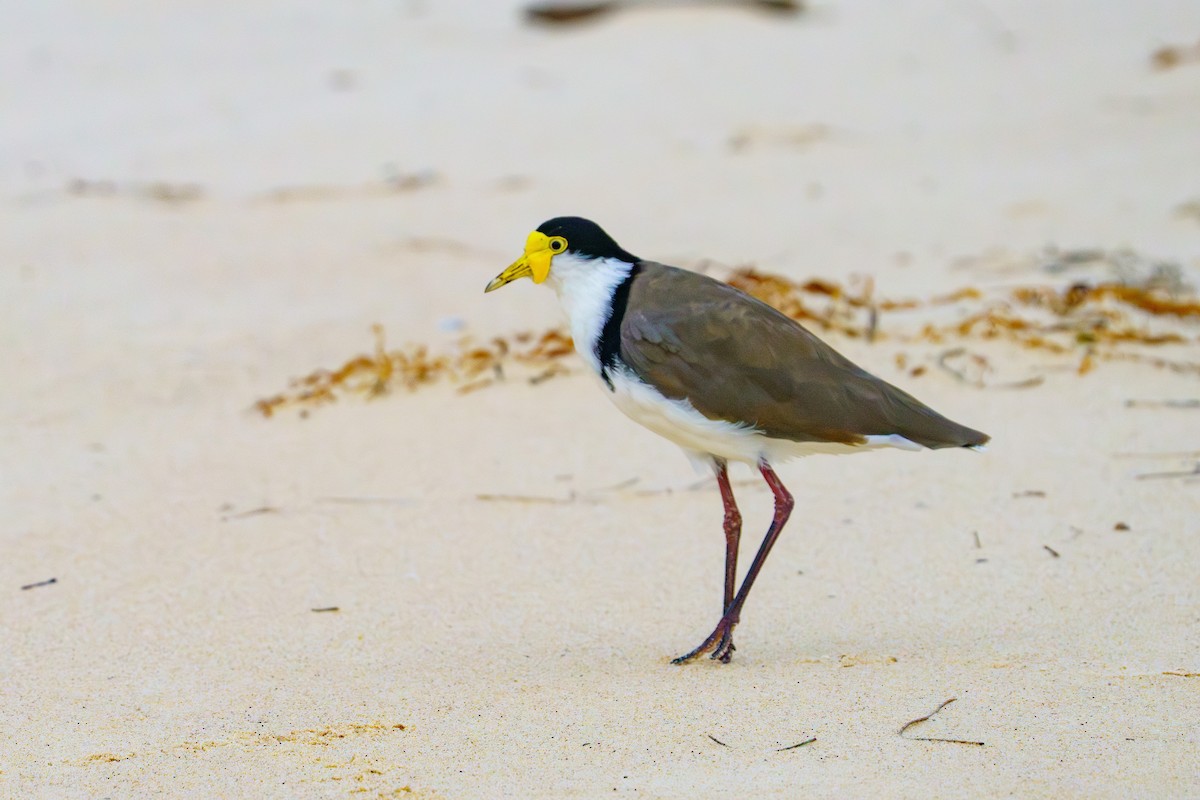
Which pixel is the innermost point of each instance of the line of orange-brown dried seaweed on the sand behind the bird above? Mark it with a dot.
(1084, 323)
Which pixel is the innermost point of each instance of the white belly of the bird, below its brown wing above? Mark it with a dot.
(682, 424)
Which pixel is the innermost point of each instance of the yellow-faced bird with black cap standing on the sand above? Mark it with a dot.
(722, 375)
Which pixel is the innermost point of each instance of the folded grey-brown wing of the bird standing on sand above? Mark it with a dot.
(737, 359)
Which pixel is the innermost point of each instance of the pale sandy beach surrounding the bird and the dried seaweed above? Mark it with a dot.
(448, 593)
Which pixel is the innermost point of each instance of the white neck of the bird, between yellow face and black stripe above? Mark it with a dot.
(585, 288)
